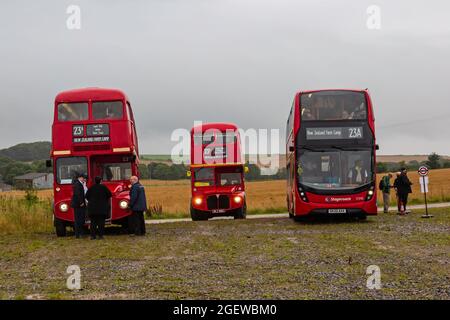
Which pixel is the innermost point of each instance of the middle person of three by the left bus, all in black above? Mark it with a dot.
(98, 197)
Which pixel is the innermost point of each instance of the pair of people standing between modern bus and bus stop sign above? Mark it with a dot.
(402, 186)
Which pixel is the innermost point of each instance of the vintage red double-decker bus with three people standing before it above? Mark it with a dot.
(93, 133)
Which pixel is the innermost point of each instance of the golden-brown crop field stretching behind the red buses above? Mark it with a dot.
(263, 196)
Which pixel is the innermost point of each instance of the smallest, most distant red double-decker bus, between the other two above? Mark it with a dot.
(217, 172)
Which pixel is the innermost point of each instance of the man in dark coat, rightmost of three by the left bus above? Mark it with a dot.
(138, 205)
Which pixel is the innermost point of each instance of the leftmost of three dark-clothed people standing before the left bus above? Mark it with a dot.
(78, 204)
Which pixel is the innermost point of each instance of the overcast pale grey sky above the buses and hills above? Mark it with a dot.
(221, 60)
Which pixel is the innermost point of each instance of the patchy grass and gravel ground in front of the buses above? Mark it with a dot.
(227, 259)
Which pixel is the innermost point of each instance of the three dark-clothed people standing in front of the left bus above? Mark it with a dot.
(95, 202)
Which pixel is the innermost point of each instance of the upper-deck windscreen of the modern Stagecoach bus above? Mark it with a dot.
(333, 105)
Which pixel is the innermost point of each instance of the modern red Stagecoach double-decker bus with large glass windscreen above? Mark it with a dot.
(330, 154)
